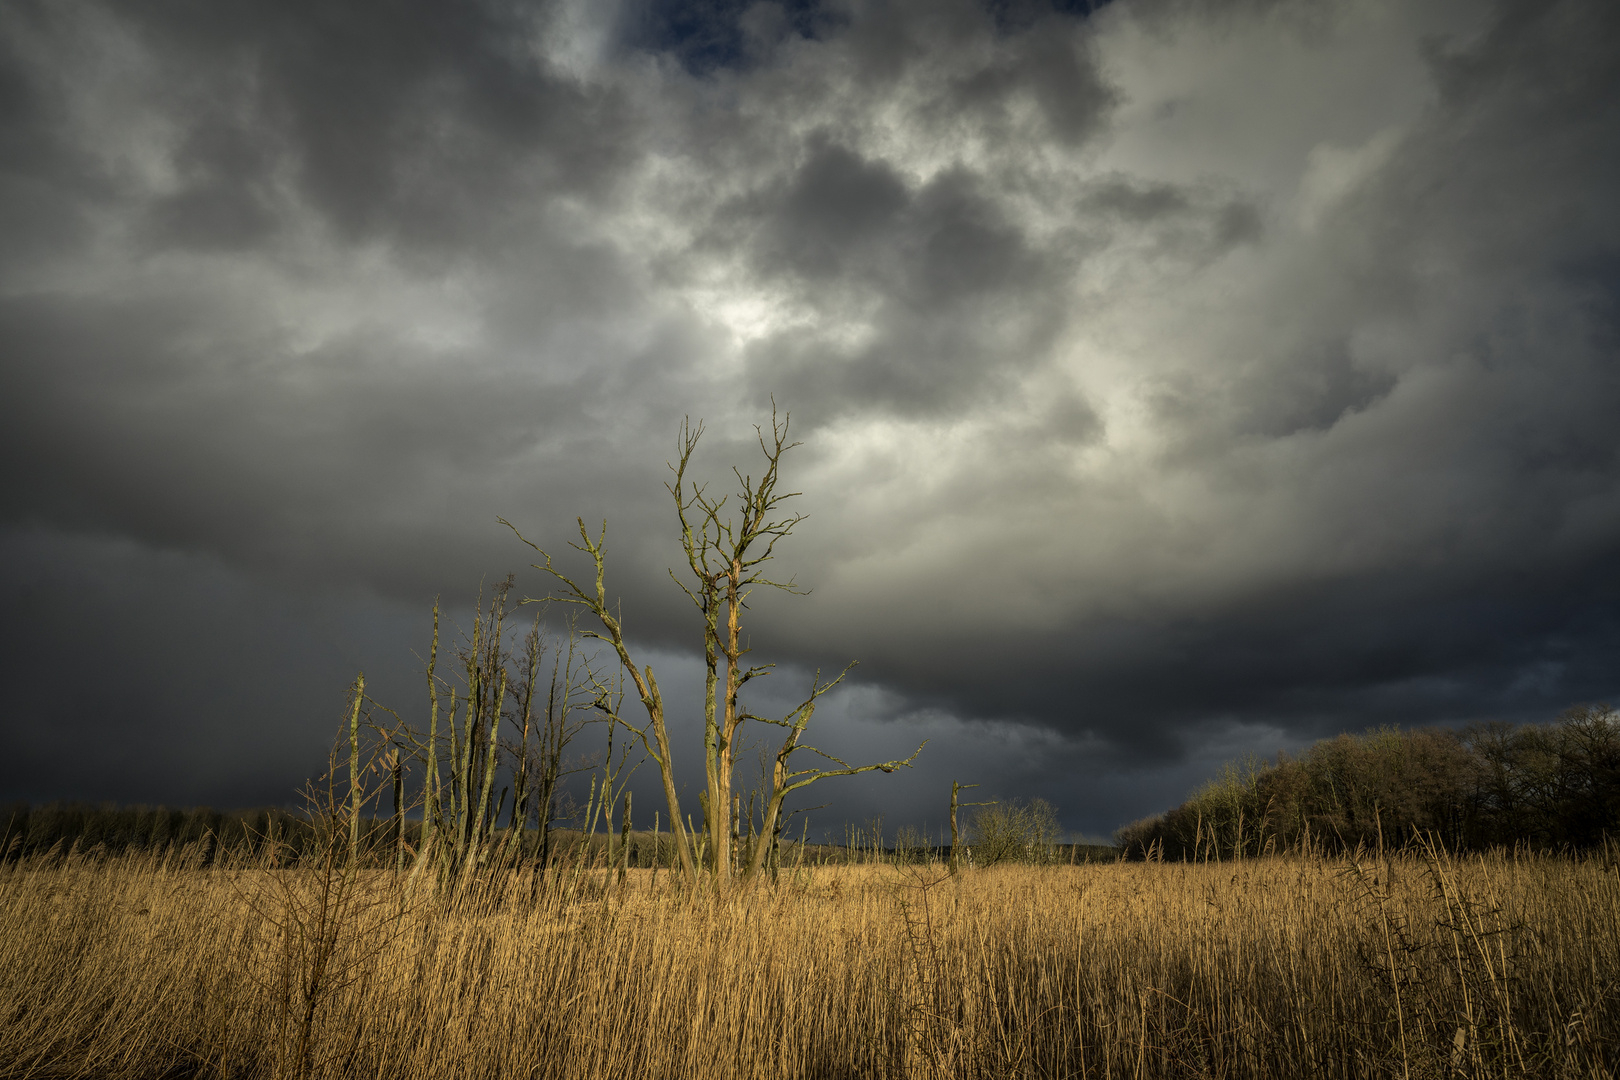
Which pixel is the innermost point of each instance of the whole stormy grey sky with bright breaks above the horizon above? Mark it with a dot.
(1177, 380)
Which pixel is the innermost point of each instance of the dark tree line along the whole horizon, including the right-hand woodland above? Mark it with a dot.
(1537, 786)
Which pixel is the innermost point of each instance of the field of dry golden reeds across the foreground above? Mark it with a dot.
(1284, 967)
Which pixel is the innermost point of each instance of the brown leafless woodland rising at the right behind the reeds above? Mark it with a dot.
(1541, 786)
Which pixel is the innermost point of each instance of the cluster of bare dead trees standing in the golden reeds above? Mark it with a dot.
(501, 720)
